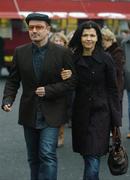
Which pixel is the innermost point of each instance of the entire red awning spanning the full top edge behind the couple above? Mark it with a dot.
(11, 8)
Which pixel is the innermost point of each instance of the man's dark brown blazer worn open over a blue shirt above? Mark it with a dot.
(54, 103)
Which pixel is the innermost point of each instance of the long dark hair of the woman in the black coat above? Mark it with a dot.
(75, 43)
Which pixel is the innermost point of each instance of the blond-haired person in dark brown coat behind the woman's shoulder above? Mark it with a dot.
(111, 46)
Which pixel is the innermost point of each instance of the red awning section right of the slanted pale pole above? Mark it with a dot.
(73, 6)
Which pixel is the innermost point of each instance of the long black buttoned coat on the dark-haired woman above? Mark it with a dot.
(96, 106)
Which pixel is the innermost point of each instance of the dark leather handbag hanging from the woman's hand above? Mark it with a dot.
(117, 158)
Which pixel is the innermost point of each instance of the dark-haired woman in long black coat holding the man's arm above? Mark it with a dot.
(96, 108)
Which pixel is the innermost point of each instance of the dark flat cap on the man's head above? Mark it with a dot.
(39, 17)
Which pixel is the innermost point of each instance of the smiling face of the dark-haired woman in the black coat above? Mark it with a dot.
(89, 39)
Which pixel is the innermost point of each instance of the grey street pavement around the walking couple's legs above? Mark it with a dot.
(13, 157)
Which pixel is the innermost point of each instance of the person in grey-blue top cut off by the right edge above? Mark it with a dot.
(126, 47)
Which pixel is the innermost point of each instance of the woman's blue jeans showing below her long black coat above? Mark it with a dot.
(91, 167)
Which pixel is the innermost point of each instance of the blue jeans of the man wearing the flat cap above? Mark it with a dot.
(41, 148)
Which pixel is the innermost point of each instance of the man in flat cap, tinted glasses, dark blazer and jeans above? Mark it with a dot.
(43, 107)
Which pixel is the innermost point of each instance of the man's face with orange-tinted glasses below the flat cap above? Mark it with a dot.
(38, 31)
